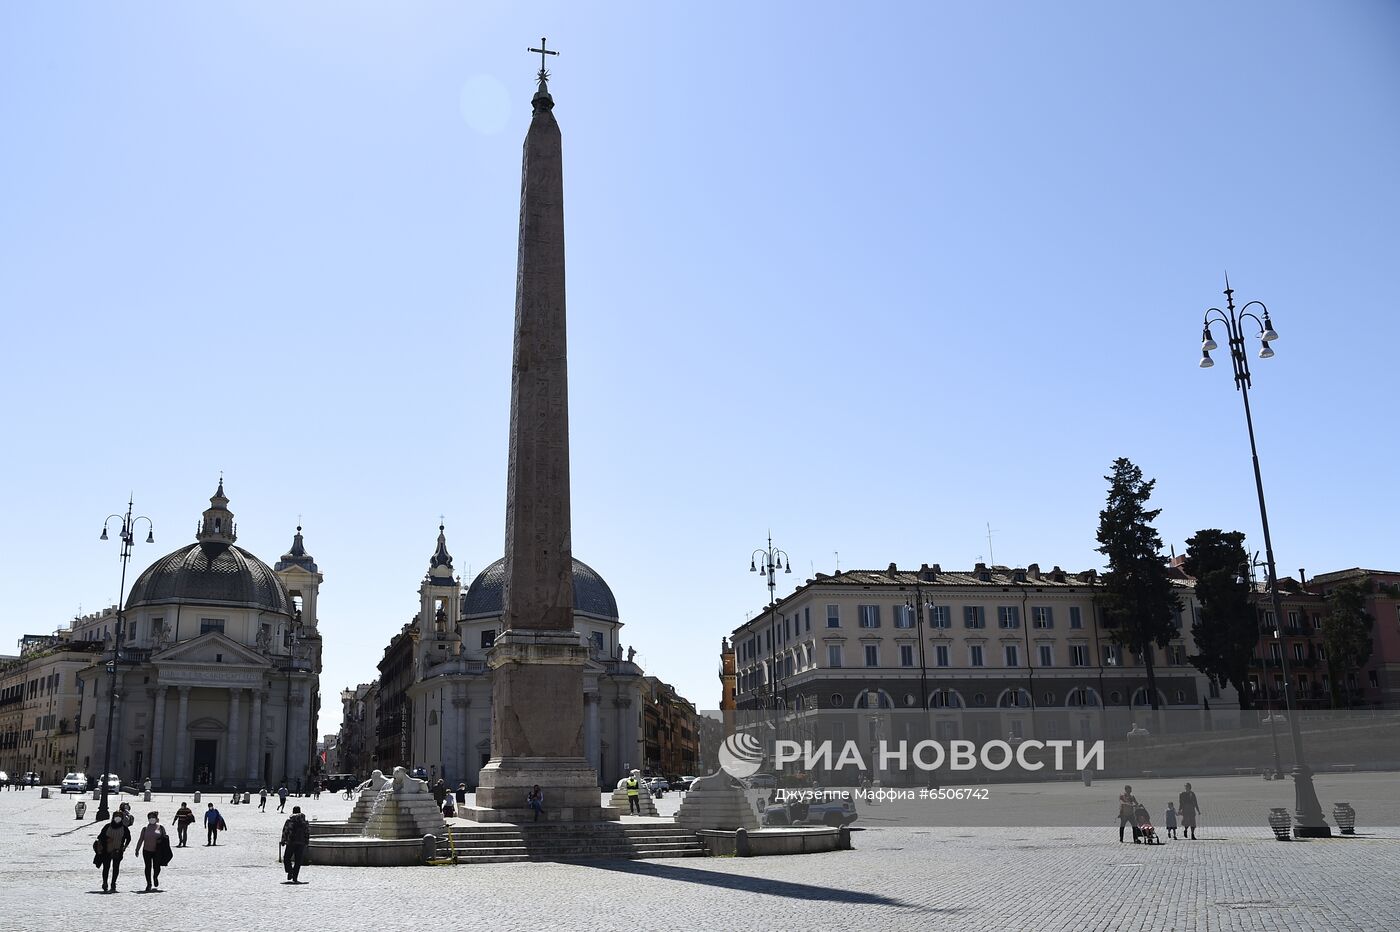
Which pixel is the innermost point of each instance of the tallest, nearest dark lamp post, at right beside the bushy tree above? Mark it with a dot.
(1308, 819)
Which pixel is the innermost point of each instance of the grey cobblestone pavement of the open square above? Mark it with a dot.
(898, 878)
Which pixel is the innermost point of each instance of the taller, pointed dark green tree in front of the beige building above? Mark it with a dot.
(1139, 601)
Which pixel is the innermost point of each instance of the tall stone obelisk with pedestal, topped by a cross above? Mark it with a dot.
(538, 660)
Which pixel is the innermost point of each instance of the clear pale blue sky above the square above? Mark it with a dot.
(871, 278)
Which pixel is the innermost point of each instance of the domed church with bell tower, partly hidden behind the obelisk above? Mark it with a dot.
(444, 724)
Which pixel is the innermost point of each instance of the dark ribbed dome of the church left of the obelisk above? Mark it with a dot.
(211, 576)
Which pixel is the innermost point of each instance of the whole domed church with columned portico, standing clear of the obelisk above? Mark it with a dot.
(220, 665)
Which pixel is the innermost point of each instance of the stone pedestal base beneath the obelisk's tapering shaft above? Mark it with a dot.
(538, 733)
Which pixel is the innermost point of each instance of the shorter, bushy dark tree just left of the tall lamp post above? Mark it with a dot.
(1227, 630)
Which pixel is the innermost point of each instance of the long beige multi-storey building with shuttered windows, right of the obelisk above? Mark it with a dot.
(993, 651)
